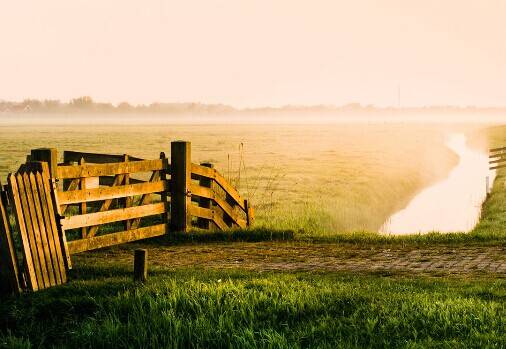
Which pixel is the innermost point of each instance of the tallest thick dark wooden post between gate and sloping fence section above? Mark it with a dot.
(180, 186)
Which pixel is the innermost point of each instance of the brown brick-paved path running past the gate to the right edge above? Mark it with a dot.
(295, 256)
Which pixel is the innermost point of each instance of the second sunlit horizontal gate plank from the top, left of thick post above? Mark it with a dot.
(114, 192)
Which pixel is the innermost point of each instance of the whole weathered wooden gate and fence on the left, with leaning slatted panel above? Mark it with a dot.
(100, 200)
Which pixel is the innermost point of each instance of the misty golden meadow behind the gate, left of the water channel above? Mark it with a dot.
(316, 180)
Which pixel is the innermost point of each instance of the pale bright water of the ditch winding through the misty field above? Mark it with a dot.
(452, 205)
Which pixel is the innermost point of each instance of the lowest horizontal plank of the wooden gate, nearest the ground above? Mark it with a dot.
(107, 240)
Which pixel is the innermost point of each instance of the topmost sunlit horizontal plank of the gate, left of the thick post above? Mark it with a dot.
(96, 170)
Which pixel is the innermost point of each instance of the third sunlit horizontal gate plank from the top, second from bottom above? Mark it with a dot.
(98, 218)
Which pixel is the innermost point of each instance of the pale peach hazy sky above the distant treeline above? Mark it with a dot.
(250, 53)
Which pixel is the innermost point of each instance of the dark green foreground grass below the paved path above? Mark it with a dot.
(197, 308)
